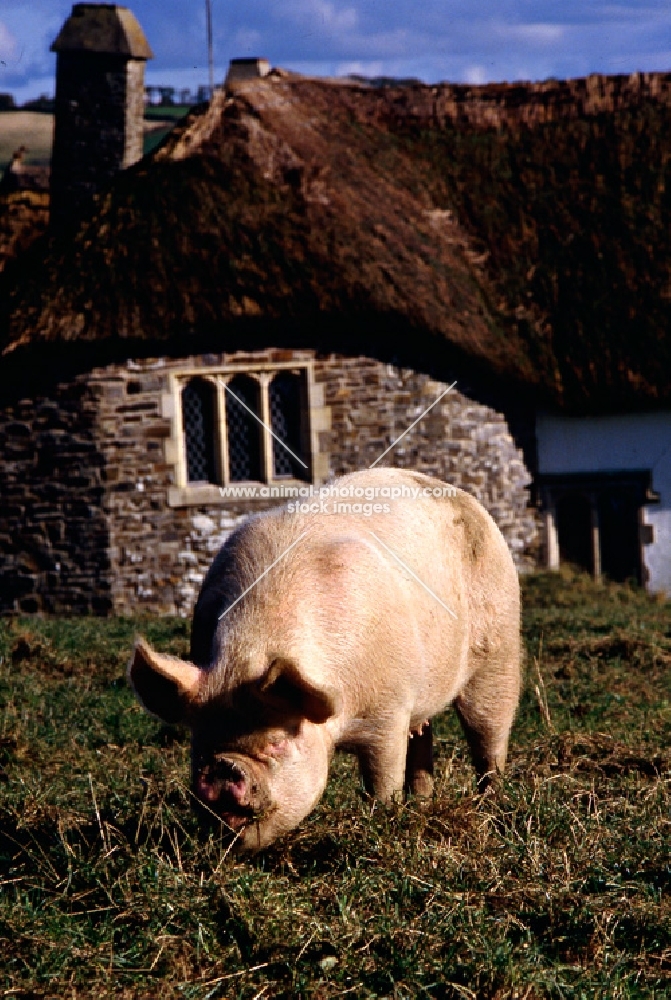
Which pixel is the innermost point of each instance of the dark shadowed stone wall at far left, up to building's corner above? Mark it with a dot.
(54, 538)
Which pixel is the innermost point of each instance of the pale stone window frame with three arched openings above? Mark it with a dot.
(183, 492)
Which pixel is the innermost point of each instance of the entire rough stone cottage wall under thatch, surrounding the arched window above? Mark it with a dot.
(85, 523)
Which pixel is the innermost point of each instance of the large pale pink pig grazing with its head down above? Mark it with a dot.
(319, 628)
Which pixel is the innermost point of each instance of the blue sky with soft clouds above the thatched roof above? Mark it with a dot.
(459, 40)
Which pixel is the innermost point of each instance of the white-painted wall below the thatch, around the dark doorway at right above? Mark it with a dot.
(639, 441)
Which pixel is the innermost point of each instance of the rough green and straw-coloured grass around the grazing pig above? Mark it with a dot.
(557, 887)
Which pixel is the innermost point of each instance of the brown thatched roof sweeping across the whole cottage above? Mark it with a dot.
(540, 253)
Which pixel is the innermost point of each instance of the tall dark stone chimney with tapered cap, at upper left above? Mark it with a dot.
(101, 54)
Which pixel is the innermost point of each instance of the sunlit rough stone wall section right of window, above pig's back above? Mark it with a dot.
(459, 440)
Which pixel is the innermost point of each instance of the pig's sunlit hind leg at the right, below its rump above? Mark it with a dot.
(486, 708)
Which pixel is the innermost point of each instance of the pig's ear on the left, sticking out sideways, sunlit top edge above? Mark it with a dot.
(164, 684)
